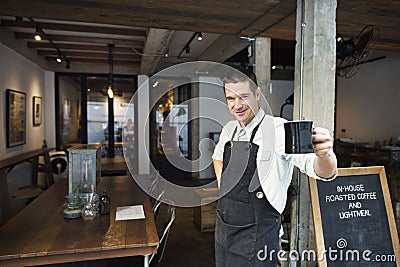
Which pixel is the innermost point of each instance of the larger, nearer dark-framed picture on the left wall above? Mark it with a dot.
(15, 118)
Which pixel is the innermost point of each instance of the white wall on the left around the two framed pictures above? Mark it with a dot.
(22, 75)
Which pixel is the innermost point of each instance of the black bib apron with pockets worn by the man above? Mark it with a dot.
(247, 226)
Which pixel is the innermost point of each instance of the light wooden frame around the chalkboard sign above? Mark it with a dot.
(316, 211)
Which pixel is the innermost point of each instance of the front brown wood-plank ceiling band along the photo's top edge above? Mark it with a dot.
(274, 19)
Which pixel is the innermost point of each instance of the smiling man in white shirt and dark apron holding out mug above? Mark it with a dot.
(254, 174)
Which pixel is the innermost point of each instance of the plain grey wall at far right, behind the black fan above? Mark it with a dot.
(368, 104)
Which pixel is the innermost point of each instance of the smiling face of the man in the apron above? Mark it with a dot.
(242, 101)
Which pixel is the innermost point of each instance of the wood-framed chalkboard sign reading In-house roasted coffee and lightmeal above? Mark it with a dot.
(353, 219)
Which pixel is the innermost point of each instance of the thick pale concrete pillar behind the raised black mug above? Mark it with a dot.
(314, 91)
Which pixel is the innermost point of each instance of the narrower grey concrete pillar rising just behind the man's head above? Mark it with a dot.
(263, 63)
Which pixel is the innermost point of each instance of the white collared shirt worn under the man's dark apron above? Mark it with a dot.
(275, 168)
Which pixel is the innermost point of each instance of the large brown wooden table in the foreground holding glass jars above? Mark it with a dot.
(39, 234)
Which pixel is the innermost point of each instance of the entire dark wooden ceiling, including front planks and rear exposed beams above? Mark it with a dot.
(83, 29)
